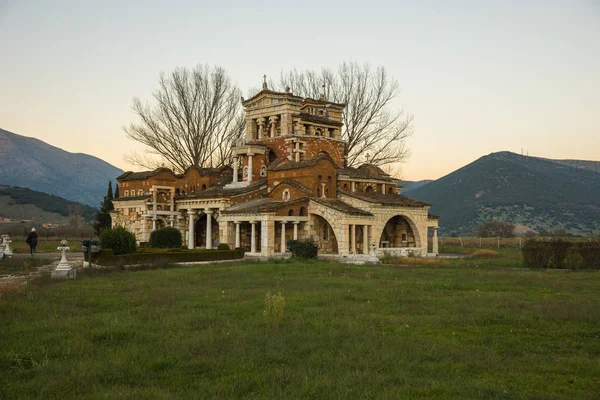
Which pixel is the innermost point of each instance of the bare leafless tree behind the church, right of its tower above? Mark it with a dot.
(375, 131)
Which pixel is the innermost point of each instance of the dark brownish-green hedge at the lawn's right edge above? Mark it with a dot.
(559, 253)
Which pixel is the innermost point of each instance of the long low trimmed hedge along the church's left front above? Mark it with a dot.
(107, 257)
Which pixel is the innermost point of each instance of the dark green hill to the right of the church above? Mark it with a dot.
(535, 192)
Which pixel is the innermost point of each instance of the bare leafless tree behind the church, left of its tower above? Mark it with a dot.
(196, 118)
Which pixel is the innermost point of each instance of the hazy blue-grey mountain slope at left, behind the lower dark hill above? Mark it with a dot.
(29, 162)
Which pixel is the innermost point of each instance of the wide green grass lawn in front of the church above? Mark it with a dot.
(431, 332)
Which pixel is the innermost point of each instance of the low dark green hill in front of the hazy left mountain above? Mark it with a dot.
(25, 204)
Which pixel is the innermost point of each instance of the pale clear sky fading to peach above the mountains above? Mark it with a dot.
(478, 76)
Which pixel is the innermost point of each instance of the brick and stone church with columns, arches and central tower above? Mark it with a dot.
(288, 180)
